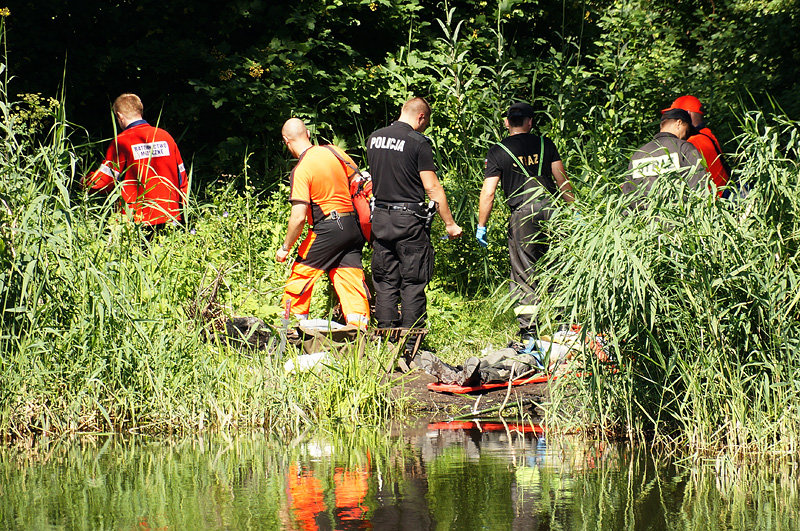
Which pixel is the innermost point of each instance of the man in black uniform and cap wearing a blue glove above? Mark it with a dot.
(531, 174)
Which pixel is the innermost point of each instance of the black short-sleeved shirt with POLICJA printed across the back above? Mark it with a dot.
(396, 154)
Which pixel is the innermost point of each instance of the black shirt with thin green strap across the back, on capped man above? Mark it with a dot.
(528, 149)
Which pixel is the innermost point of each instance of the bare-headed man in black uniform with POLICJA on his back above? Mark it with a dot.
(403, 172)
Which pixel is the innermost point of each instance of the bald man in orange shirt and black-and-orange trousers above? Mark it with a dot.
(320, 193)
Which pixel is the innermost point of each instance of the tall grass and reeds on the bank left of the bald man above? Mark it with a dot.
(95, 335)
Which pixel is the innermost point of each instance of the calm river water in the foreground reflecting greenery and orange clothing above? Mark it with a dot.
(433, 476)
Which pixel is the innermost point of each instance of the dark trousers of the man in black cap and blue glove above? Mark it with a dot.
(526, 244)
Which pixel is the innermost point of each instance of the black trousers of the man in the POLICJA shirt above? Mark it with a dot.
(402, 266)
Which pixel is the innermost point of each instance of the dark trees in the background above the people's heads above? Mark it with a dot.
(223, 77)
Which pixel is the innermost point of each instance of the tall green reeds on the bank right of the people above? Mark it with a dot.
(698, 297)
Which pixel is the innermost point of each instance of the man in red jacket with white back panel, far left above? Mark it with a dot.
(145, 163)
